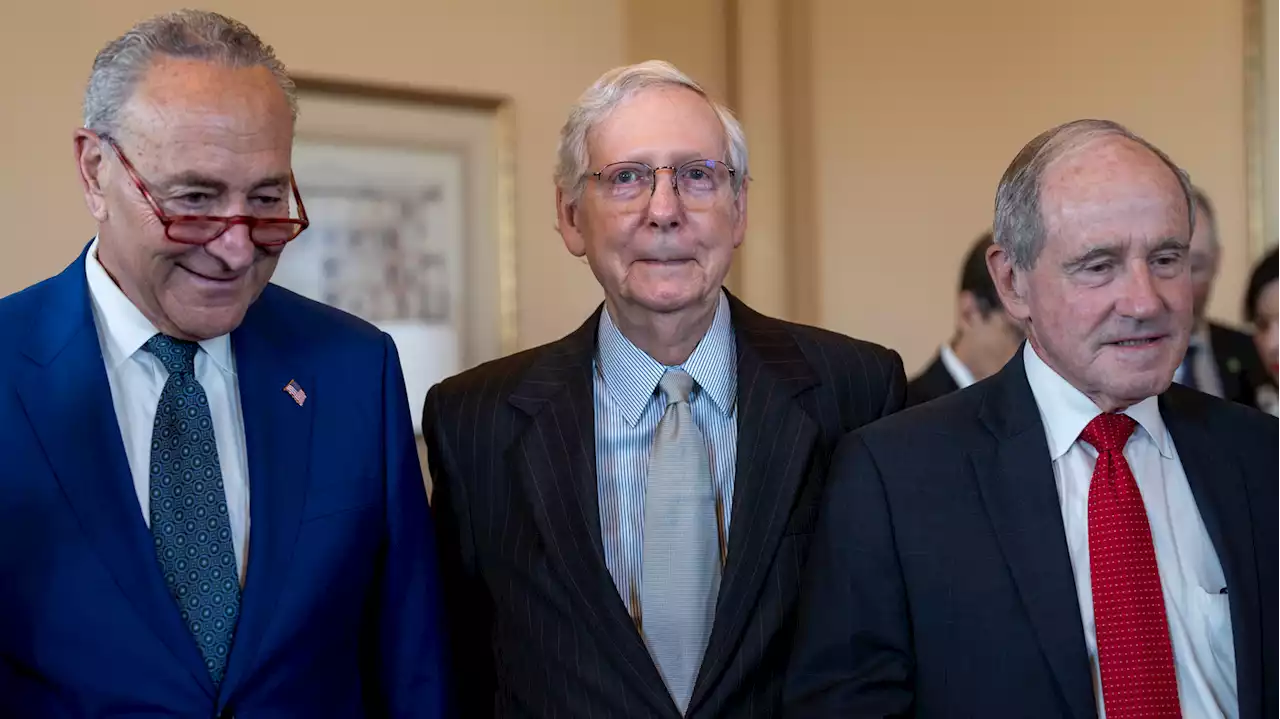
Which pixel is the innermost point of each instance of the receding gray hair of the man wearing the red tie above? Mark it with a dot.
(1020, 227)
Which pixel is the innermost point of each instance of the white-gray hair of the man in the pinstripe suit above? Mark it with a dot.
(614, 89)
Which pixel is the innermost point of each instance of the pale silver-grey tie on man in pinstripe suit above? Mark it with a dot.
(682, 565)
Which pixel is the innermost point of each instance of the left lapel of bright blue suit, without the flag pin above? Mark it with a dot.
(68, 400)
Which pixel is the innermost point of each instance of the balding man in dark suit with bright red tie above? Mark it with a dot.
(1075, 535)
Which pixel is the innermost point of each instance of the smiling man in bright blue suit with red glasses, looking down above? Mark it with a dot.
(162, 404)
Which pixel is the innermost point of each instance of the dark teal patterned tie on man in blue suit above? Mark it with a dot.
(189, 507)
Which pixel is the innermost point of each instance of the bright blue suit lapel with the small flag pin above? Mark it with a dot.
(278, 443)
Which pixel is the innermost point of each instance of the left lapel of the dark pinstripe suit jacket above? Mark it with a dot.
(555, 459)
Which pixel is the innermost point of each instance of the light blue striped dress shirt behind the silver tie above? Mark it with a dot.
(628, 411)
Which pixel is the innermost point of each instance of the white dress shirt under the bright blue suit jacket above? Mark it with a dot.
(138, 378)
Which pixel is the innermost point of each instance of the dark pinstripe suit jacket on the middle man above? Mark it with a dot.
(538, 626)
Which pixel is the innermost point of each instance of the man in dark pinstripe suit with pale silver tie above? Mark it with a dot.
(624, 514)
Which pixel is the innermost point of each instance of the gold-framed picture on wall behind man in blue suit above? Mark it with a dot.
(412, 200)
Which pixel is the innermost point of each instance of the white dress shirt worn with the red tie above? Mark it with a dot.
(1191, 575)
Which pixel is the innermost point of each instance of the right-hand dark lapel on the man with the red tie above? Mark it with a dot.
(1222, 498)
